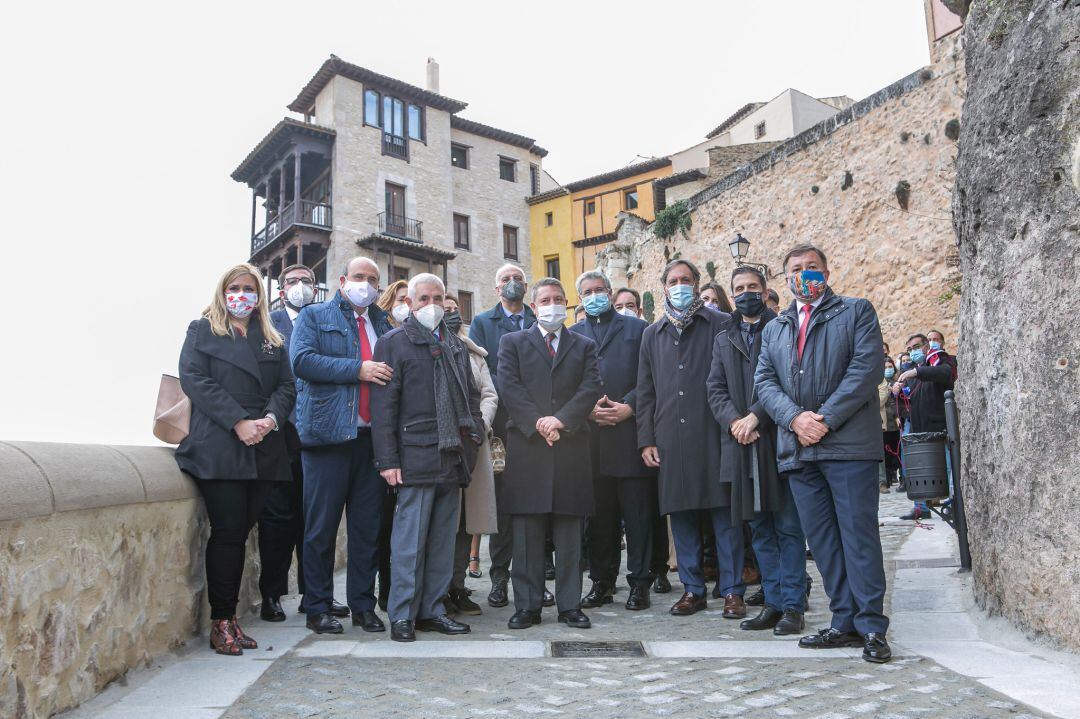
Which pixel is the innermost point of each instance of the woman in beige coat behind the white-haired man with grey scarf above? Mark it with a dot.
(479, 511)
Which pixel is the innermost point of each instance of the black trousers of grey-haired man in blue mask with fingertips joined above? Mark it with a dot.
(633, 501)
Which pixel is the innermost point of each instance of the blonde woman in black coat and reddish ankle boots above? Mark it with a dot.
(235, 369)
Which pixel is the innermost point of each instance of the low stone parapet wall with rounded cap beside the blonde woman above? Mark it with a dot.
(101, 569)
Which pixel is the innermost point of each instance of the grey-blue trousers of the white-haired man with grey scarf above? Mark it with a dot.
(422, 547)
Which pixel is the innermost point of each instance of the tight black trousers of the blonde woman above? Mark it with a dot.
(234, 507)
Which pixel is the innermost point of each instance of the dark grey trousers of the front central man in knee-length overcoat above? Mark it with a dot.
(530, 534)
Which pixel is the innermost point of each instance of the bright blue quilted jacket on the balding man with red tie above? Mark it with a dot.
(326, 354)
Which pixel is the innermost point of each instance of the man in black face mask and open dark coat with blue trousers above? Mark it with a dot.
(760, 494)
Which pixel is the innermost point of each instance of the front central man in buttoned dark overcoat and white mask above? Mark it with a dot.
(550, 384)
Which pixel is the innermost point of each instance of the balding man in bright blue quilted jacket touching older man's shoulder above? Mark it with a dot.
(332, 352)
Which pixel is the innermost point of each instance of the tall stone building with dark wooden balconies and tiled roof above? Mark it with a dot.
(391, 170)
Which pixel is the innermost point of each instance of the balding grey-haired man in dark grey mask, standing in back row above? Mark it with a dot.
(510, 316)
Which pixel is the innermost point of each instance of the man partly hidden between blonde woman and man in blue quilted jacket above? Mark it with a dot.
(281, 526)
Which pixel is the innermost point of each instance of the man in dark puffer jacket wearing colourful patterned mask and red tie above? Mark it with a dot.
(818, 376)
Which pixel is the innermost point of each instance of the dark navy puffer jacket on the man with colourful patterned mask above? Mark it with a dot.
(838, 378)
